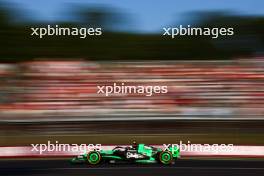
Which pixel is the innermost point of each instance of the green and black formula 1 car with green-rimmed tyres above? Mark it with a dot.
(137, 153)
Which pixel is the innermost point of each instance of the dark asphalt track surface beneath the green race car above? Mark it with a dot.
(181, 167)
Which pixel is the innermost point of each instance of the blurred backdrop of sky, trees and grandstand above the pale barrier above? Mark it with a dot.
(48, 86)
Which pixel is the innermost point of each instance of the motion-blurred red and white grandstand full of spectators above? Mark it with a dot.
(67, 90)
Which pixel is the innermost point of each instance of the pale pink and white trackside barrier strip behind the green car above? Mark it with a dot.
(237, 152)
